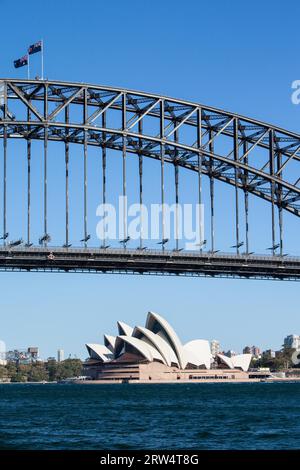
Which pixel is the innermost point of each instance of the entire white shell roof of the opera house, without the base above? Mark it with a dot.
(158, 341)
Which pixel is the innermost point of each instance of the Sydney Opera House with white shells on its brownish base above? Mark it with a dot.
(155, 353)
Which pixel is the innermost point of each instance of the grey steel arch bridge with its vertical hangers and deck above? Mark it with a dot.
(253, 157)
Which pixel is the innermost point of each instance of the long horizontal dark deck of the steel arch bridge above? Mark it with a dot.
(159, 262)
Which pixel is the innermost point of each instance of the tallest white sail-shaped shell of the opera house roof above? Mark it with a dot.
(160, 326)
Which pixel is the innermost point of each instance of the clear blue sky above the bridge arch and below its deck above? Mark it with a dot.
(234, 55)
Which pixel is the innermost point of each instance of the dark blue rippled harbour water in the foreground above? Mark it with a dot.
(178, 416)
